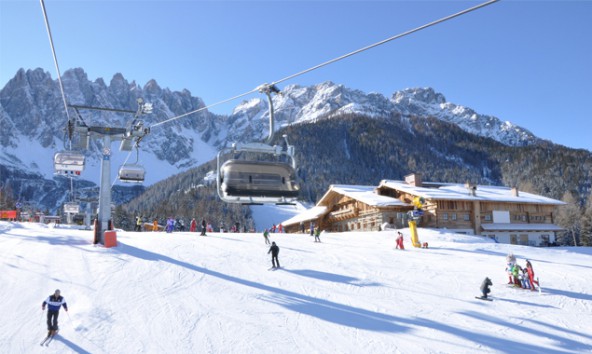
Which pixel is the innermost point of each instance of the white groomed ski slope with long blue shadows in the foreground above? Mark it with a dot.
(352, 293)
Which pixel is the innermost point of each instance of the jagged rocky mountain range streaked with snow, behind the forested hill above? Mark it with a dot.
(33, 120)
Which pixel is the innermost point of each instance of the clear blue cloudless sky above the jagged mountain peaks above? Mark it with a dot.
(528, 62)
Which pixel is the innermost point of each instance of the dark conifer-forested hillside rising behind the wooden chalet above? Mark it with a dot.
(352, 149)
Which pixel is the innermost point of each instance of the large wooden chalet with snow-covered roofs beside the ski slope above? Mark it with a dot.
(504, 214)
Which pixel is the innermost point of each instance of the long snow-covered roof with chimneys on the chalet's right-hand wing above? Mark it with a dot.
(452, 191)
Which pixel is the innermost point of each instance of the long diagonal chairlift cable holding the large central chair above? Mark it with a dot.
(417, 29)
